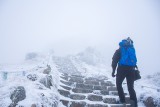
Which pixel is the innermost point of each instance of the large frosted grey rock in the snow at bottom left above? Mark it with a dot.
(19, 94)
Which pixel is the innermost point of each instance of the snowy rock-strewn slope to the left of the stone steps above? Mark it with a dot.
(36, 93)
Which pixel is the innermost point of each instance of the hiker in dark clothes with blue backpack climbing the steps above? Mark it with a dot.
(126, 60)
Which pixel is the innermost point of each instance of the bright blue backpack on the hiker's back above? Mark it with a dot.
(128, 54)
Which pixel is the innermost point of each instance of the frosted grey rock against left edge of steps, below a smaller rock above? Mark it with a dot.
(47, 81)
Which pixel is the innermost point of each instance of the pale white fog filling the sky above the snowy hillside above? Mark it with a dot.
(69, 26)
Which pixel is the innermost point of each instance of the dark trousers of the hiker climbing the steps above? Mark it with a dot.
(128, 73)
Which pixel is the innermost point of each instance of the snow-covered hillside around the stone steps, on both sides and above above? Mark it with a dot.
(88, 63)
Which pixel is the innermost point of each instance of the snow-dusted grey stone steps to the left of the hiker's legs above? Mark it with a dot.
(79, 91)
